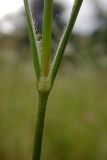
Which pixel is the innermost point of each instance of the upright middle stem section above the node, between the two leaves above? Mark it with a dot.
(46, 37)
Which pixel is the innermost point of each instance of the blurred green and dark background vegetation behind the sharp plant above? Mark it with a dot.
(76, 118)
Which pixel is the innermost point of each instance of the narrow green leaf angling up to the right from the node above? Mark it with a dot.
(65, 38)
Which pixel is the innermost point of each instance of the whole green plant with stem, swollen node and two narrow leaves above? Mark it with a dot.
(45, 68)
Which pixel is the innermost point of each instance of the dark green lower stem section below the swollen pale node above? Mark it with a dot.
(43, 97)
